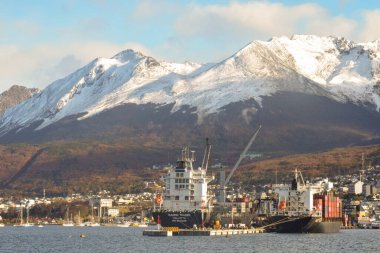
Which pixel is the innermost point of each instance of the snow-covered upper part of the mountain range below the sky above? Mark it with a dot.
(331, 67)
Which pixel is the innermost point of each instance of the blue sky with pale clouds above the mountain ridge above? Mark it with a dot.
(44, 40)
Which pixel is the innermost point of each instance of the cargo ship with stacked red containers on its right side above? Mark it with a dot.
(306, 208)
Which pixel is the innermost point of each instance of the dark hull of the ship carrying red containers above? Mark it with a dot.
(305, 224)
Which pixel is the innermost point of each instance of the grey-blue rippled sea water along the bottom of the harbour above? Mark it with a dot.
(115, 239)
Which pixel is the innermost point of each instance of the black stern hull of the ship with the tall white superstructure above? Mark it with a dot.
(182, 220)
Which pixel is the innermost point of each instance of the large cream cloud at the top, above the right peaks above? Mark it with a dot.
(261, 20)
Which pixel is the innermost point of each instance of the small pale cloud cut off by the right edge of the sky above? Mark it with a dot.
(371, 26)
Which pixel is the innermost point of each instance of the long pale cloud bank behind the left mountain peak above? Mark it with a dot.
(40, 65)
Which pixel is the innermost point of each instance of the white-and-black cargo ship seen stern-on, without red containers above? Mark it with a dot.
(185, 203)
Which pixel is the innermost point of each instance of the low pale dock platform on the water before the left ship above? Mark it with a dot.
(208, 232)
